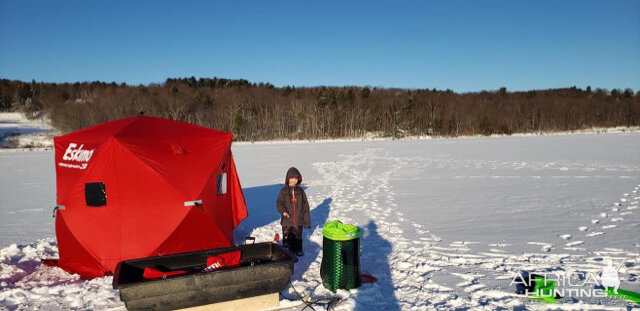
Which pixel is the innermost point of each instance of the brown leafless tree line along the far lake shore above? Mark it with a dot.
(260, 111)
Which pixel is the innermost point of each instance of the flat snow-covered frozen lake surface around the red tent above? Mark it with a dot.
(446, 223)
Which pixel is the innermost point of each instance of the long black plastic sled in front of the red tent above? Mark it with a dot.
(264, 268)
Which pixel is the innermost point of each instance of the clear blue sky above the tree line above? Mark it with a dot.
(461, 45)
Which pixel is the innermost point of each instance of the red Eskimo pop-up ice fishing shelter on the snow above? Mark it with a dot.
(140, 187)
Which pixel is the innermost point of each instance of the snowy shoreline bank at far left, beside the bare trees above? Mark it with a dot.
(17, 131)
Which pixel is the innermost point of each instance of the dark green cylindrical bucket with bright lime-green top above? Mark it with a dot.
(340, 266)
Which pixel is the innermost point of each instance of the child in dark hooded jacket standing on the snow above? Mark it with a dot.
(294, 209)
